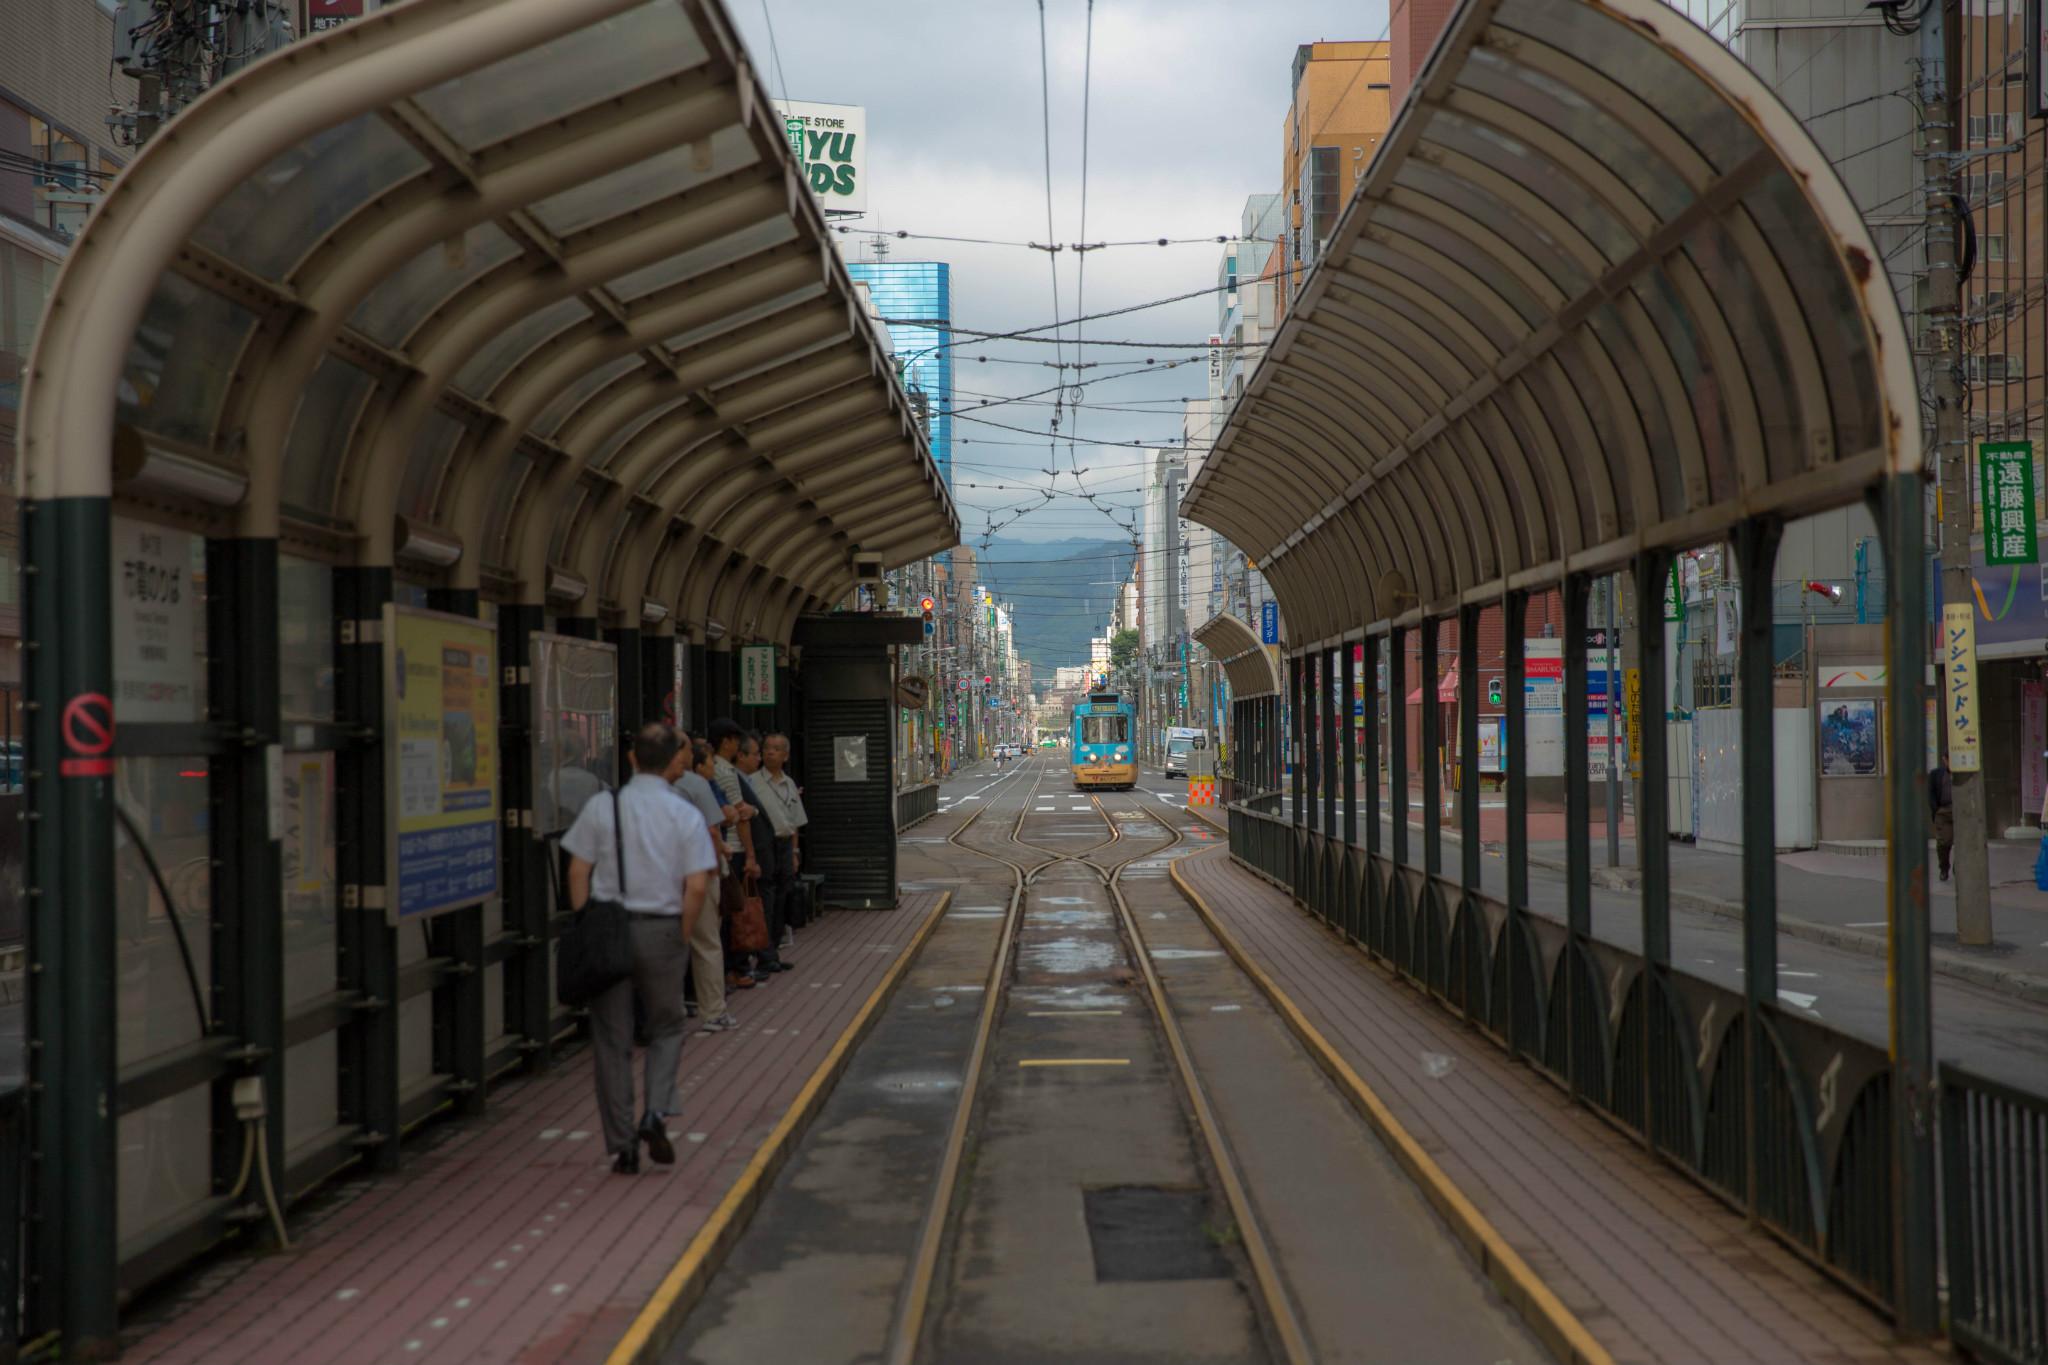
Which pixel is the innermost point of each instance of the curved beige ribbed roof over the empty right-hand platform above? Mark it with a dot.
(1596, 294)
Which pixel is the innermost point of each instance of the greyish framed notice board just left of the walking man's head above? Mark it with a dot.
(574, 728)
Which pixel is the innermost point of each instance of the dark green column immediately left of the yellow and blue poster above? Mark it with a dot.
(368, 944)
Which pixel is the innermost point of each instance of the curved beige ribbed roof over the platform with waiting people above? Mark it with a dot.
(538, 277)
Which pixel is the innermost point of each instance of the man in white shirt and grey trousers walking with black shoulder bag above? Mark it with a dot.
(660, 846)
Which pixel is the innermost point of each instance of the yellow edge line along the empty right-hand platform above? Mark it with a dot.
(1504, 1266)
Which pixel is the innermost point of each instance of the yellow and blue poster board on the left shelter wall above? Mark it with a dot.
(441, 752)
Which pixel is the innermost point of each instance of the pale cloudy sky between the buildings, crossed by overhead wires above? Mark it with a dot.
(1185, 116)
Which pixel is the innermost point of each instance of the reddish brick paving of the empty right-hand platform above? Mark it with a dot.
(1656, 1268)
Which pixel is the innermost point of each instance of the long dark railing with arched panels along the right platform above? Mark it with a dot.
(1664, 1055)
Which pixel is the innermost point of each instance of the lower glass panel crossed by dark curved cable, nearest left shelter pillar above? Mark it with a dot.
(169, 805)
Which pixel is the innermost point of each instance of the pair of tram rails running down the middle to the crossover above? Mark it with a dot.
(914, 1305)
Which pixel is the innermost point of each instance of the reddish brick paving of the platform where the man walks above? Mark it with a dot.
(509, 1239)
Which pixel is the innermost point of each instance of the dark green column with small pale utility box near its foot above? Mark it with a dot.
(249, 897)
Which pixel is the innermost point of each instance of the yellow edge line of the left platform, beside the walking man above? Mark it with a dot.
(687, 1280)
